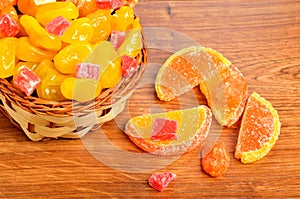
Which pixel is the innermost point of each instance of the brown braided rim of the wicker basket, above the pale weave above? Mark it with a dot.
(105, 100)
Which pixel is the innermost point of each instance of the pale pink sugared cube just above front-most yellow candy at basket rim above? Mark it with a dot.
(87, 70)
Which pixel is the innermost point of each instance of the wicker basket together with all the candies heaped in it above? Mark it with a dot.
(68, 66)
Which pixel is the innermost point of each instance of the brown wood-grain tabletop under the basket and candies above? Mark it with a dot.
(262, 38)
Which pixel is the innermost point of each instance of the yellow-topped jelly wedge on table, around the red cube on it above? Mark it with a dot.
(193, 128)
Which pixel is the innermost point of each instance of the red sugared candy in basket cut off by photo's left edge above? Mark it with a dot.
(8, 26)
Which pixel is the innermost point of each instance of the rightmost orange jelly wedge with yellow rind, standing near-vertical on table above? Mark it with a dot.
(259, 130)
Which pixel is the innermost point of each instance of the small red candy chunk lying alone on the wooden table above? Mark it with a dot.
(161, 180)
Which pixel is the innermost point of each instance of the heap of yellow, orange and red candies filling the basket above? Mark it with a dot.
(68, 50)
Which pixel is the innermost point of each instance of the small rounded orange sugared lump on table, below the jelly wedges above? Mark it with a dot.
(215, 159)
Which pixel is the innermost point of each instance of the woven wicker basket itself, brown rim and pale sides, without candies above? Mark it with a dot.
(42, 119)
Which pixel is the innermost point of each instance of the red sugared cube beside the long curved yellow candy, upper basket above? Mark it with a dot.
(58, 26)
